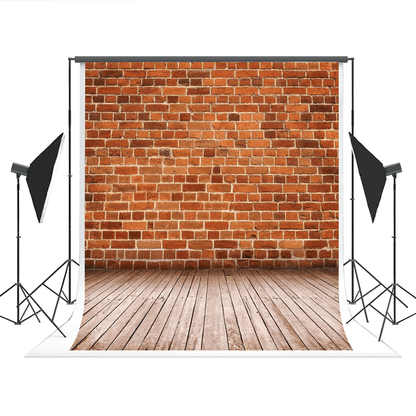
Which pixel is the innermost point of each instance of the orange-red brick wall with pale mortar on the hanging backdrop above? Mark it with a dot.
(211, 165)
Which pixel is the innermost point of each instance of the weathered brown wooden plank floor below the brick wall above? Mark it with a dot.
(249, 309)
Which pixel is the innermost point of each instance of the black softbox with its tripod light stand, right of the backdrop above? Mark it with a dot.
(373, 176)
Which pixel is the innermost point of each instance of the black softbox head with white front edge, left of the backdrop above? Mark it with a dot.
(40, 175)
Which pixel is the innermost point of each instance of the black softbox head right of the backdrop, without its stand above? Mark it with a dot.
(372, 173)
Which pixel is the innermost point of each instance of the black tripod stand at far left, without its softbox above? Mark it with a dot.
(20, 317)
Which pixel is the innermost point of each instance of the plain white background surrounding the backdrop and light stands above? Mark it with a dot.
(36, 40)
